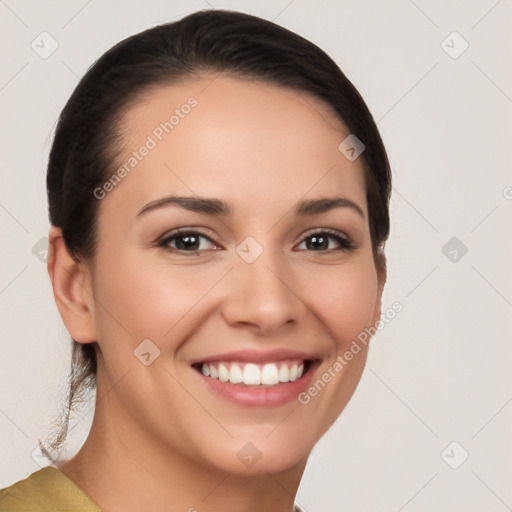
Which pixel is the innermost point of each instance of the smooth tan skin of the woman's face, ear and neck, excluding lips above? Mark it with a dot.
(160, 440)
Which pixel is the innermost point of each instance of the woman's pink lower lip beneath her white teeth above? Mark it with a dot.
(249, 396)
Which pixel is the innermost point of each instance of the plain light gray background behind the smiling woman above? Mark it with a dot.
(440, 371)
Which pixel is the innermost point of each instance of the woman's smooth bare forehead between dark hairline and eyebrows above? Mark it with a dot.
(218, 135)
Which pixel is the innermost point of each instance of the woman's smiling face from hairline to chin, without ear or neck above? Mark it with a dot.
(254, 292)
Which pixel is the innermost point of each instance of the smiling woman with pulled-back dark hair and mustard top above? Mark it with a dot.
(218, 194)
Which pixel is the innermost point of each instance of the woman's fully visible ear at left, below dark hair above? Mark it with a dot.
(72, 289)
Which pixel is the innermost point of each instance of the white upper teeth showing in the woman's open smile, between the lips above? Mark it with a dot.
(255, 375)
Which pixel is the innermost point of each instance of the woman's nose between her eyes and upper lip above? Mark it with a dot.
(262, 296)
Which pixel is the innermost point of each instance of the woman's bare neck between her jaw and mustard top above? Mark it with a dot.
(122, 468)
